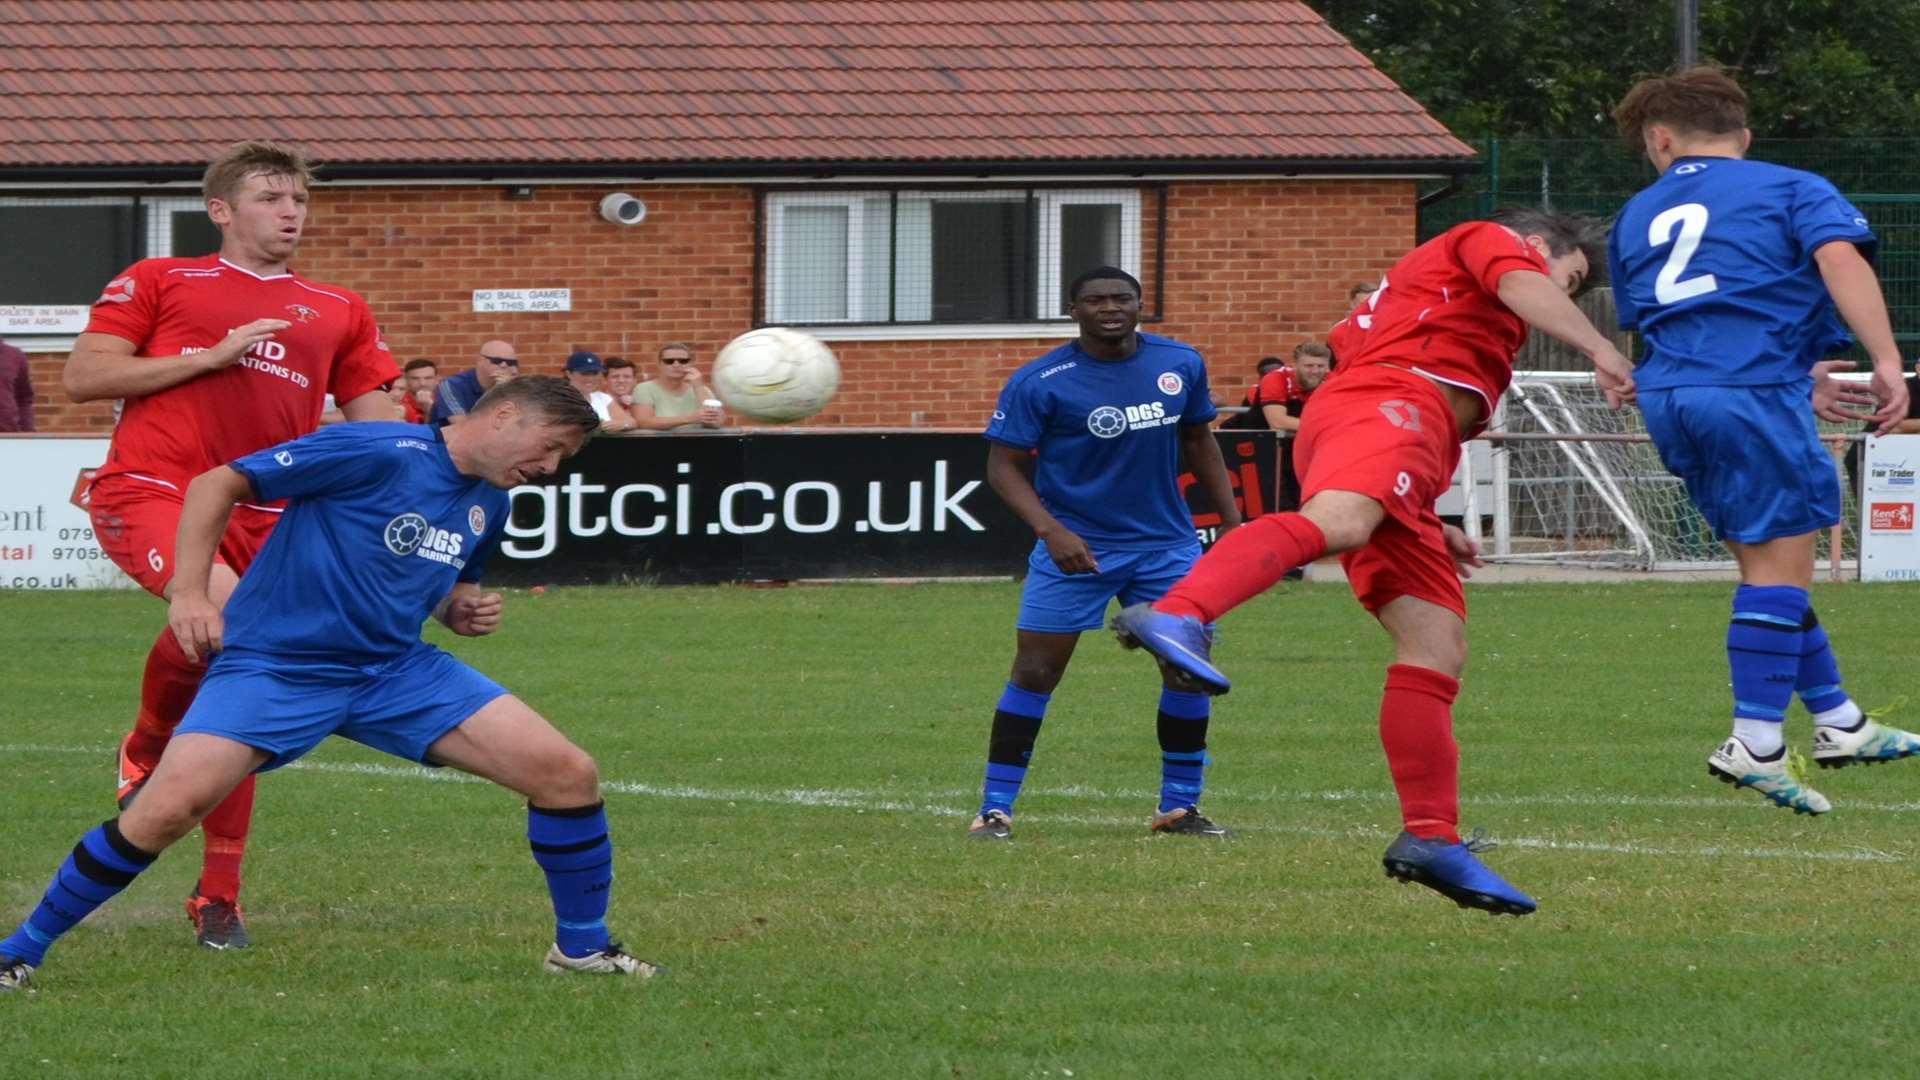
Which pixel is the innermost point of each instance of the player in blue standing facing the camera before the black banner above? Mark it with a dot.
(1103, 422)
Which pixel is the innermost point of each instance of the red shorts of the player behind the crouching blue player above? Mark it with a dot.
(139, 520)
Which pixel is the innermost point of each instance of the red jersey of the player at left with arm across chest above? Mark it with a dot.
(272, 395)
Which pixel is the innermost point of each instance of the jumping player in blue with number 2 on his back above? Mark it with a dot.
(1742, 278)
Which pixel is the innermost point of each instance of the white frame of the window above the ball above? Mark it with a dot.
(861, 324)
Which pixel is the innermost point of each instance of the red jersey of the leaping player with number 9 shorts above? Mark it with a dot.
(1439, 312)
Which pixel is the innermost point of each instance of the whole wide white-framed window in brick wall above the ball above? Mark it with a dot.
(940, 257)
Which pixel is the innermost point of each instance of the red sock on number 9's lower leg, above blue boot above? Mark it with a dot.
(1418, 733)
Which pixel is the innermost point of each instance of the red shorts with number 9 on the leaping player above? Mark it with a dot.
(1387, 435)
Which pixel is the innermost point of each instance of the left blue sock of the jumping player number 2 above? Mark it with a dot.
(1764, 650)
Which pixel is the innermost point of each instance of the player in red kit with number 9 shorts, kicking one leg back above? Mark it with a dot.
(1422, 364)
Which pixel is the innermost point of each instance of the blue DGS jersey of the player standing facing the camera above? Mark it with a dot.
(1109, 439)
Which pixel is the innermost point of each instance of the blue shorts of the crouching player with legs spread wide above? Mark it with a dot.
(287, 708)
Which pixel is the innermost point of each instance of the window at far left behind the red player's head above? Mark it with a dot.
(66, 249)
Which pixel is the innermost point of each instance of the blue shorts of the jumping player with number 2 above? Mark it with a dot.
(1752, 458)
